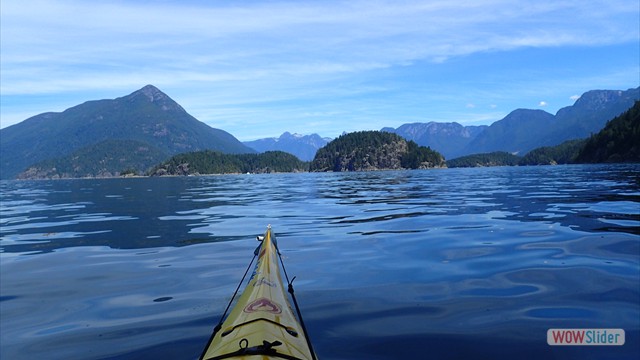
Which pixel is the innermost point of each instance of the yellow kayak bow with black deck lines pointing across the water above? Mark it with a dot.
(262, 324)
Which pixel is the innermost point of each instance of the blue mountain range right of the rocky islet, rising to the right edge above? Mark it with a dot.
(523, 130)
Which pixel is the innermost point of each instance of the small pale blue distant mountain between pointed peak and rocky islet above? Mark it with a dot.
(304, 147)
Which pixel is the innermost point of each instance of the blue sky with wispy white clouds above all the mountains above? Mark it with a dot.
(259, 68)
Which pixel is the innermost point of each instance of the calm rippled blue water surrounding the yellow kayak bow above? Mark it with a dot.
(442, 264)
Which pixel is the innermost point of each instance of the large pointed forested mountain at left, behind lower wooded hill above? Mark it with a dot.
(146, 116)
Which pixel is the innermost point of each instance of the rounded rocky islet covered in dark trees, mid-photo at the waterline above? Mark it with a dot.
(374, 150)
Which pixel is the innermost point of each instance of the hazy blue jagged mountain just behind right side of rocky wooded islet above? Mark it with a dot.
(448, 138)
